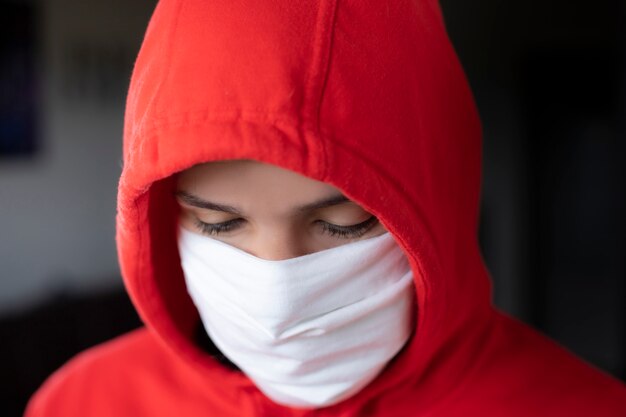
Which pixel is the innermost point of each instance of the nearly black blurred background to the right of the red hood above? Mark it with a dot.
(550, 82)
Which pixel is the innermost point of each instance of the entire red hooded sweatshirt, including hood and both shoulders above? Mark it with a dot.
(367, 96)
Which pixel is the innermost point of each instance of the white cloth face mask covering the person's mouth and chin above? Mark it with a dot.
(309, 331)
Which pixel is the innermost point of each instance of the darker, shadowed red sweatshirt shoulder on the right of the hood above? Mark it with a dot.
(523, 372)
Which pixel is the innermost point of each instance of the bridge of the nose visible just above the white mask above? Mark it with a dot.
(274, 245)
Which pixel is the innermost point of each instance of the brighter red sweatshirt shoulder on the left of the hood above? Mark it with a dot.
(100, 377)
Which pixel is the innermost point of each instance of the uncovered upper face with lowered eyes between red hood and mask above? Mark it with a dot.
(267, 211)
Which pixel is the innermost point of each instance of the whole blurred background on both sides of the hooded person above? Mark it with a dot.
(550, 82)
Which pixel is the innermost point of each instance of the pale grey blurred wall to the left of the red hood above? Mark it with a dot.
(57, 208)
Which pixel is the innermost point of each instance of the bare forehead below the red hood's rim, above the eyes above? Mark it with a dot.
(251, 183)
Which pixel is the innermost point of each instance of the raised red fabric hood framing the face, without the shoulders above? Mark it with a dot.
(367, 96)
